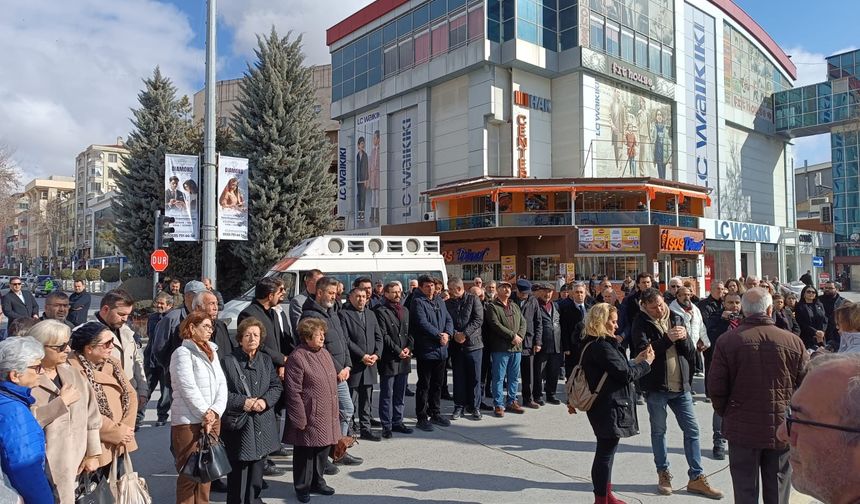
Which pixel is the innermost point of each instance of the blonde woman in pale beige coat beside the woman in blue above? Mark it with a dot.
(67, 409)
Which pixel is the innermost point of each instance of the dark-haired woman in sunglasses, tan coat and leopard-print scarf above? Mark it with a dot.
(92, 344)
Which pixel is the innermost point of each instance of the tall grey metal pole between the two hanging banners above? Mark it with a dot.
(209, 198)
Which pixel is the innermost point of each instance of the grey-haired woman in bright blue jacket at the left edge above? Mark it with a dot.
(22, 441)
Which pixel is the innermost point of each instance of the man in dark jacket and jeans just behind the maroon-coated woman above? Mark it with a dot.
(321, 306)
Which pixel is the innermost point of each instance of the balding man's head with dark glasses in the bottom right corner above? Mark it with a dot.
(822, 430)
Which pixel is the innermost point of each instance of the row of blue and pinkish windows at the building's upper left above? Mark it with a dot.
(429, 30)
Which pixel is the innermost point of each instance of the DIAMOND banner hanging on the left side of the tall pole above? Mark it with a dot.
(181, 183)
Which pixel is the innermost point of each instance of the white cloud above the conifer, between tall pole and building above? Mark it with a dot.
(310, 18)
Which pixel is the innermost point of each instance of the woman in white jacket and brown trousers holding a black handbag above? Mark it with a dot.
(199, 399)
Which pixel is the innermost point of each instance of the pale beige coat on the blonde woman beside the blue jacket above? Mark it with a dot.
(71, 433)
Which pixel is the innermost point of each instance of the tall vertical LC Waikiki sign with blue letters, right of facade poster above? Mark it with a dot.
(701, 91)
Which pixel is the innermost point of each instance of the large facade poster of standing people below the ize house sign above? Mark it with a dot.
(628, 133)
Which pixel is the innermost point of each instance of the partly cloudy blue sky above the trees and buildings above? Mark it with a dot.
(72, 70)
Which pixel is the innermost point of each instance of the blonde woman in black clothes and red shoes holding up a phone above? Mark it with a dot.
(611, 376)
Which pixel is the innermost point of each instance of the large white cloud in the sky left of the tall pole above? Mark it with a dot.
(72, 72)
